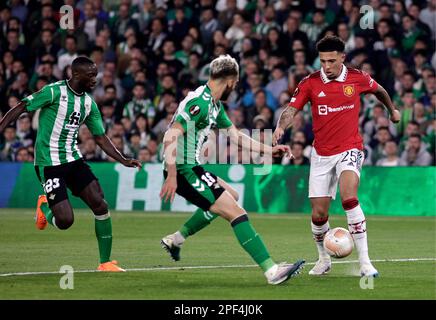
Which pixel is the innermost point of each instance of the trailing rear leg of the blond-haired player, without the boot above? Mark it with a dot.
(201, 219)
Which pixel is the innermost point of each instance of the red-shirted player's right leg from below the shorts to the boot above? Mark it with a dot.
(348, 187)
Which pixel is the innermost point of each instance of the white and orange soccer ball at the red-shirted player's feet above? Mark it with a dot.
(338, 243)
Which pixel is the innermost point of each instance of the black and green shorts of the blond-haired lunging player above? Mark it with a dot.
(198, 186)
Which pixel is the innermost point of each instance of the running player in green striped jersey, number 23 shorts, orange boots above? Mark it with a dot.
(59, 165)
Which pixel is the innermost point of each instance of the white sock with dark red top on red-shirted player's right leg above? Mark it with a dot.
(357, 227)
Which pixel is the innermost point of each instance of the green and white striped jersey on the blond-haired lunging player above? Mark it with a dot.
(197, 114)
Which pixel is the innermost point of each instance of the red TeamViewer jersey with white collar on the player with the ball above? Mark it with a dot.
(335, 108)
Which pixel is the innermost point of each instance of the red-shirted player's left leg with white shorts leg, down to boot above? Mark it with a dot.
(322, 188)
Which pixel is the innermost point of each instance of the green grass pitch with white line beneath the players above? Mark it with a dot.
(23, 248)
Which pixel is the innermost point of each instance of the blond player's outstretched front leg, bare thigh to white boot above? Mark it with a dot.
(251, 241)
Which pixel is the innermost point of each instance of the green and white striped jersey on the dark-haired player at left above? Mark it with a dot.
(62, 113)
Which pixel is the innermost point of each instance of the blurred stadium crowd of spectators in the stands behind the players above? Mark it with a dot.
(149, 54)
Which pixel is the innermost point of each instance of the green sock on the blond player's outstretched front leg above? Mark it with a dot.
(251, 241)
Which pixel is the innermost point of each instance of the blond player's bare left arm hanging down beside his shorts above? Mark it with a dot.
(169, 187)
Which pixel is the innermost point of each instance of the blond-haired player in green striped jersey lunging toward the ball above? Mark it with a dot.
(197, 115)
